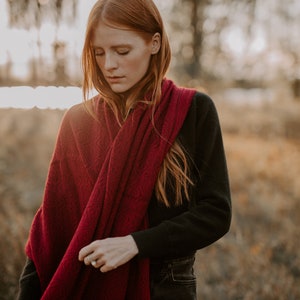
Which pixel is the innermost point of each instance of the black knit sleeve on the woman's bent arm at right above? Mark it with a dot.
(208, 215)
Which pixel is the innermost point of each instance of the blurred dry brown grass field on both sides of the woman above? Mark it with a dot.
(258, 259)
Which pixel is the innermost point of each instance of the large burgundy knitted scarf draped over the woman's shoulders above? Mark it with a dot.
(99, 184)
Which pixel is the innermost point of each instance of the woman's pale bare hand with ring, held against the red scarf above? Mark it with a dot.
(110, 253)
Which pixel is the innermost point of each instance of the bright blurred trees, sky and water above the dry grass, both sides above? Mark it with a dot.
(227, 44)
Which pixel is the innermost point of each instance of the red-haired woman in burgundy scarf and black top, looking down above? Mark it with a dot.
(138, 179)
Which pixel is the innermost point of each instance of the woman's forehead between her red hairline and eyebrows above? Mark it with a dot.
(105, 35)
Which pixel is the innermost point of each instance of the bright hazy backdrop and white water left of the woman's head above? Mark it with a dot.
(47, 53)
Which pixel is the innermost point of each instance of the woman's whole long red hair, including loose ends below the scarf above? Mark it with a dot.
(143, 17)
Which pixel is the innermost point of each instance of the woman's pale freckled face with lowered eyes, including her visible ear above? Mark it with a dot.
(122, 55)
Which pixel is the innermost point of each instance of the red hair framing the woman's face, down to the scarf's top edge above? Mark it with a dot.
(142, 17)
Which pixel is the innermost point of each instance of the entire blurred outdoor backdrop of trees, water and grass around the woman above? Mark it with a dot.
(244, 53)
